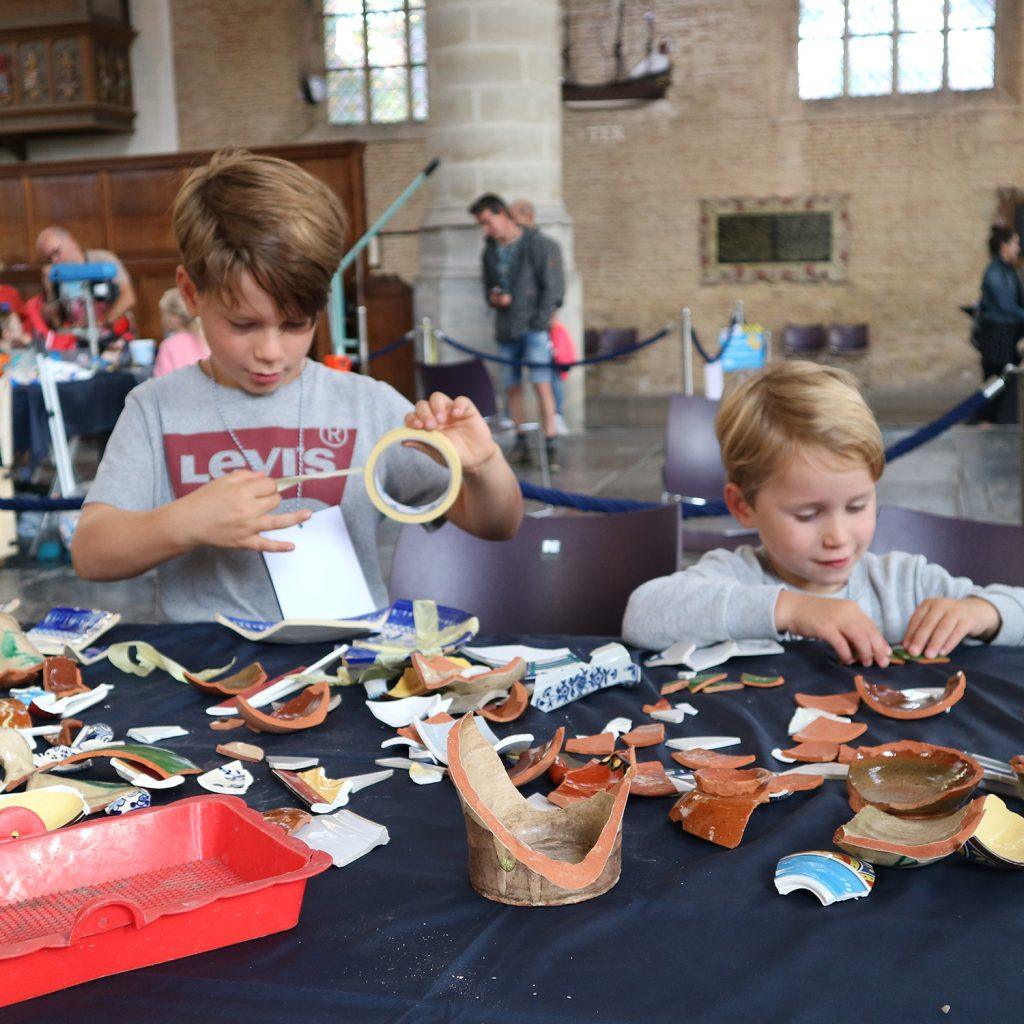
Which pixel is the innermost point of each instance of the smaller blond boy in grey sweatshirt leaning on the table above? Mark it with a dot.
(802, 454)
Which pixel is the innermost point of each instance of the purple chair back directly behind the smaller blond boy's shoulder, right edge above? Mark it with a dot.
(985, 552)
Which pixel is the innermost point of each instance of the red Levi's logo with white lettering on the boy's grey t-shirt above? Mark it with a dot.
(194, 460)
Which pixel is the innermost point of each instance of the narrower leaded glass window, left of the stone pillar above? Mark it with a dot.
(376, 54)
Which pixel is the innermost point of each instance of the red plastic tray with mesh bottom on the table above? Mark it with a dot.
(117, 894)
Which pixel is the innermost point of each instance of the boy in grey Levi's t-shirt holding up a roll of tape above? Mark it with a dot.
(187, 485)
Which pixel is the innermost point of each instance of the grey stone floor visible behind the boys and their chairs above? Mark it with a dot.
(969, 472)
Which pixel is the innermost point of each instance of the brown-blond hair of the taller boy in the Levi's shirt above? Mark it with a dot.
(244, 212)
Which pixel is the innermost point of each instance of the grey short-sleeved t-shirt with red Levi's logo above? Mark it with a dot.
(173, 438)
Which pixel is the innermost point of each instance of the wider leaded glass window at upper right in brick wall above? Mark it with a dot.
(881, 48)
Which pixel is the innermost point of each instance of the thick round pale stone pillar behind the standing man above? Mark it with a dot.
(495, 121)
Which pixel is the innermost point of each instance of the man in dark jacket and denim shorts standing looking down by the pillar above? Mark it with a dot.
(523, 281)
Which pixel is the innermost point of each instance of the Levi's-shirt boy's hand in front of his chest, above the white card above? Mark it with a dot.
(233, 511)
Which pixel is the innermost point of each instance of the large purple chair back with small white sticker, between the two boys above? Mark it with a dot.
(568, 575)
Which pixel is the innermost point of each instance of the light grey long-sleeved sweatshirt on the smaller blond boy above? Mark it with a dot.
(732, 595)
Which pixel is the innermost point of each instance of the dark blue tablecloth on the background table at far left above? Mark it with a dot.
(90, 407)
